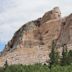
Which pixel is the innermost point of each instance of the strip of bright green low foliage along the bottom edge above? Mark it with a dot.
(36, 68)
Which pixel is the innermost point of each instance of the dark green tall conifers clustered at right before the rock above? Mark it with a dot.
(56, 59)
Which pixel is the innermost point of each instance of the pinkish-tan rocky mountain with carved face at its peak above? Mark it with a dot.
(32, 42)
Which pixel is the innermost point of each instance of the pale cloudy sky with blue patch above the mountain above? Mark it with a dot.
(15, 13)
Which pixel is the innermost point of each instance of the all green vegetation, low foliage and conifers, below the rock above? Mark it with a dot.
(66, 62)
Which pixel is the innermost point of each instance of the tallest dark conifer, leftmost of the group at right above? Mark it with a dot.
(54, 55)
